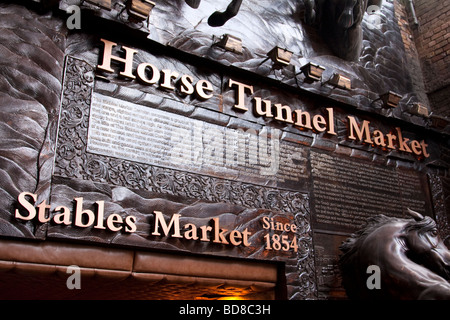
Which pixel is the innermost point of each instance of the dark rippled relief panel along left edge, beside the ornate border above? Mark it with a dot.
(32, 51)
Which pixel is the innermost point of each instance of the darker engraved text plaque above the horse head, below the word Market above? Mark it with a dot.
(347, 191)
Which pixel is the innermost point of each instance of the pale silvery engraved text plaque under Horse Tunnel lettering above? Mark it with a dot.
(137, 133)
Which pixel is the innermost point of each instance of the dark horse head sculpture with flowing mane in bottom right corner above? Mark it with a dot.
(413, 262)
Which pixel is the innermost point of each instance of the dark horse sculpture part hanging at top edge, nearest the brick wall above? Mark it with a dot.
(339, 23)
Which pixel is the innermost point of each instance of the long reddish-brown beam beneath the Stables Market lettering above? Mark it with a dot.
(47, 258)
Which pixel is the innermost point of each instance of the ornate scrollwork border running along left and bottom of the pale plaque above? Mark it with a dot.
(72, 161)
